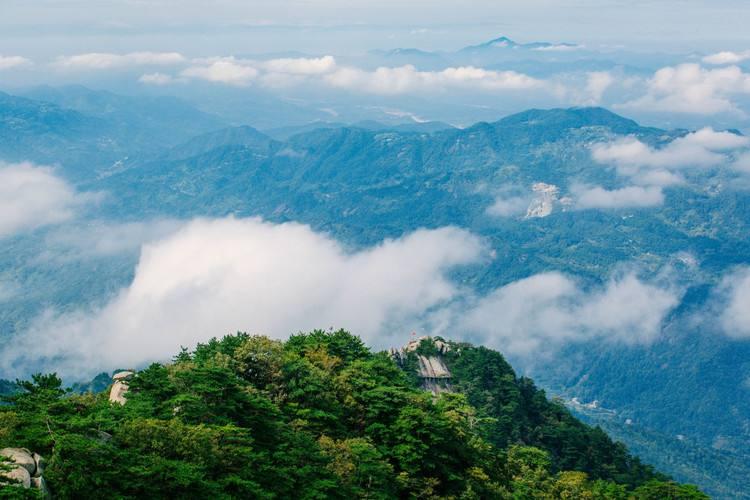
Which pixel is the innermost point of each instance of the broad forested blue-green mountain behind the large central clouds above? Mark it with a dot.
(364, 186)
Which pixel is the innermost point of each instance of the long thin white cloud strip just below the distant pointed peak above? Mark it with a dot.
(407, 79)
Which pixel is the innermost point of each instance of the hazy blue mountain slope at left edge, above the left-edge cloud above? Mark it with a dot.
(86, 131)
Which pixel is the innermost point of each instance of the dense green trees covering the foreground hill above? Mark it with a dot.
(318, 416)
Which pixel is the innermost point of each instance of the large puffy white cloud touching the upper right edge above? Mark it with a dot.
(690, 88)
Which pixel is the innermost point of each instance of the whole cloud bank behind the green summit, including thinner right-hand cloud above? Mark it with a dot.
(216, 276)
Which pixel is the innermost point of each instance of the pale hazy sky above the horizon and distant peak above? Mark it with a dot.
(48, 27)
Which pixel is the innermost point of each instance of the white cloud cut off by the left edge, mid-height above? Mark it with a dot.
(33, 196)
